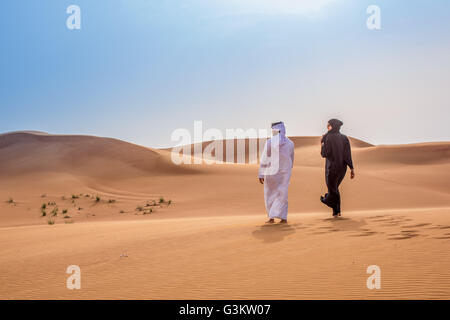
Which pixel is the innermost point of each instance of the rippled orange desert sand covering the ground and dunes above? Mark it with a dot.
(141, 227)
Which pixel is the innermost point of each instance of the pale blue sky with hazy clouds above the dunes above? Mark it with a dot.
(137, 70)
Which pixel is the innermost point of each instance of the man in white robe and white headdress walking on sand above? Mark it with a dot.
(275, 171)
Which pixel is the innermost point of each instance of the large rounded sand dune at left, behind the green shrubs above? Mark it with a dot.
(26, 152)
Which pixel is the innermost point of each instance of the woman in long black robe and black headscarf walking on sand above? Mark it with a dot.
(336, 150)
